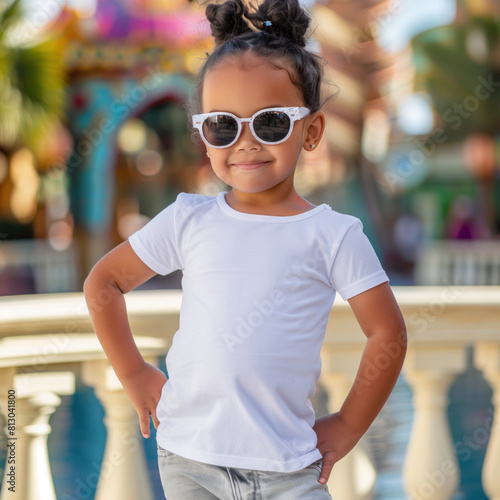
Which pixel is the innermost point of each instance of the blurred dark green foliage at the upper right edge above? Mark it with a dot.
(453, 63)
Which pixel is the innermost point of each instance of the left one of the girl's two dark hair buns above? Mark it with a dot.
(227, 20)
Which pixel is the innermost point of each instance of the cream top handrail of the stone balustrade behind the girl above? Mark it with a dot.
(159, 309)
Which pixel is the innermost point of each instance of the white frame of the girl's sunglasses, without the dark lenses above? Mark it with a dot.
(294, 113)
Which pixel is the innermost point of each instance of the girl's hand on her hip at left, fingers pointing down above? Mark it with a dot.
(143, 388)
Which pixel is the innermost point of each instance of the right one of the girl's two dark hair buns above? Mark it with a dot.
(288, 19)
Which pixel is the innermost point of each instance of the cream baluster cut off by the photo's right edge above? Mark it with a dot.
(487, 359)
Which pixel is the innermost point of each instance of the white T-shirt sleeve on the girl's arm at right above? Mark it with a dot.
(356, 267)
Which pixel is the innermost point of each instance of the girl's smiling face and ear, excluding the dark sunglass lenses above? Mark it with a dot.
(244, 86)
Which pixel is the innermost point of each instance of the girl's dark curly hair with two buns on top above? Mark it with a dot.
(276, 31)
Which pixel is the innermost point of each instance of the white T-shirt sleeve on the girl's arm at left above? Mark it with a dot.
(156, 243)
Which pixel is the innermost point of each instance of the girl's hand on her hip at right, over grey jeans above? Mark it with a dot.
(335, 441)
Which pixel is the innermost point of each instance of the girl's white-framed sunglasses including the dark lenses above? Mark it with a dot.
(269, 126)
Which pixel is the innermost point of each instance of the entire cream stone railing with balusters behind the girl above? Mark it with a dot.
(45, 339)
